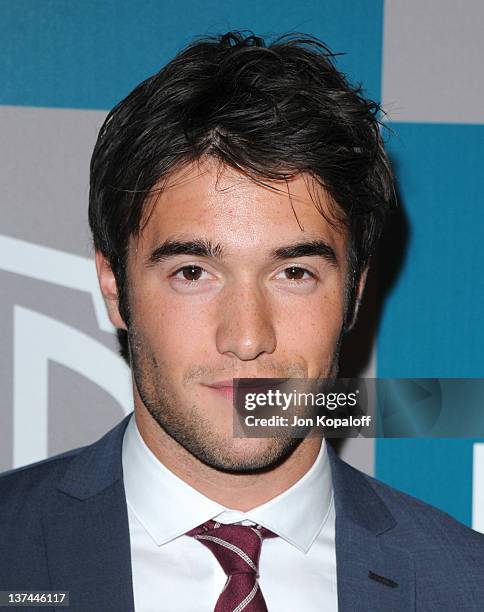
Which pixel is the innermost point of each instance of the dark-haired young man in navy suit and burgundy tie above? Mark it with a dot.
(236, 199)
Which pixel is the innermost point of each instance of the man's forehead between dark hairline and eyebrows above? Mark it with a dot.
(208, 199)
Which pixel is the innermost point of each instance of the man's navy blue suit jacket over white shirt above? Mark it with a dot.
(64, 526)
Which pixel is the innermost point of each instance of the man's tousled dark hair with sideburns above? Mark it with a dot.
(271, 111)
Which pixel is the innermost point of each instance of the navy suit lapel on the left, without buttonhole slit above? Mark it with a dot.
(86, 530)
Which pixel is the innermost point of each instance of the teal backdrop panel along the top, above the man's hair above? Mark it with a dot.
(90, 54)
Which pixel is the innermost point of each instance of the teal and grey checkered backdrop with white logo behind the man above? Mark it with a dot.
(64, 64)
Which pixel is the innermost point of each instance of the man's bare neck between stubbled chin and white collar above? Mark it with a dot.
(235, 491)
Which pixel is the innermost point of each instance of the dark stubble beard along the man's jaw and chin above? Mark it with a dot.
(189, 428)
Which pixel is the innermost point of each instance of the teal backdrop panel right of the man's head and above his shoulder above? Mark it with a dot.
(432, 318)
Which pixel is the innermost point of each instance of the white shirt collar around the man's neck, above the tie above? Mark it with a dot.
(168, 507)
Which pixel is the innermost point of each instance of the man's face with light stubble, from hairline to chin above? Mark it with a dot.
(230, 278)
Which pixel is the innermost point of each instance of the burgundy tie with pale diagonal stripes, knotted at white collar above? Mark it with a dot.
(237, 549)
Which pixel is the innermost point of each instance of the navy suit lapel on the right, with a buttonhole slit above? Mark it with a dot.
(373, 573)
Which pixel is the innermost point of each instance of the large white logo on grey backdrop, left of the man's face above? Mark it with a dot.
(39, 339)
